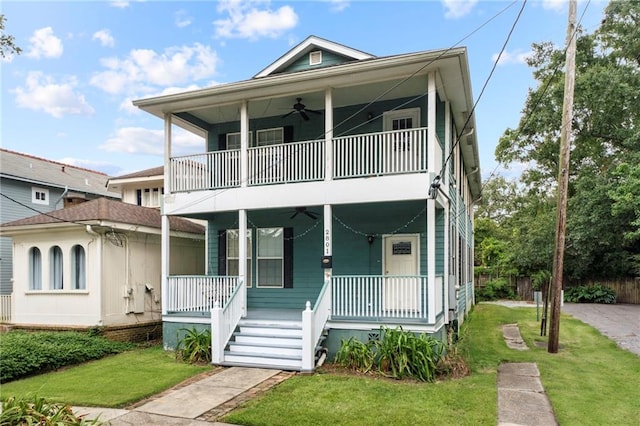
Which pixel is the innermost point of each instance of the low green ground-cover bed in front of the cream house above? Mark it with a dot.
(28, 353)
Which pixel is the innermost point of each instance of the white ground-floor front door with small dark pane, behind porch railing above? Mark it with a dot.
(401, 292)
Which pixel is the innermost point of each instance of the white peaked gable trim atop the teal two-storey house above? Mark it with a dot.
(312, 43)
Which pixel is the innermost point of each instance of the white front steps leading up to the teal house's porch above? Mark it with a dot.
(267, 344)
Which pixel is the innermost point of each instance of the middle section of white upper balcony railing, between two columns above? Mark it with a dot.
(291, 162)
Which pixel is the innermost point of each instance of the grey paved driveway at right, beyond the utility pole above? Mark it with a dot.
(619, 322)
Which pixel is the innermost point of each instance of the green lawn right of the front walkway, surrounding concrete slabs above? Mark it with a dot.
(589, 382)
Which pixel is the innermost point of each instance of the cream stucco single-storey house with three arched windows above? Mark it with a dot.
(97, 264)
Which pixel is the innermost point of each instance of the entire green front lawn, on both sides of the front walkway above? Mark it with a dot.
(589, 382)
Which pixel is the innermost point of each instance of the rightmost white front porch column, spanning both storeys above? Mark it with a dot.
(432, 163)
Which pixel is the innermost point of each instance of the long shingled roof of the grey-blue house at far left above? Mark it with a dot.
(40, 171)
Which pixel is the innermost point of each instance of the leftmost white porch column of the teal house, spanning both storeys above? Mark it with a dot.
(165, 242)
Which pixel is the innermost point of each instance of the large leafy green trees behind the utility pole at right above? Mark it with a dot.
(603, 223)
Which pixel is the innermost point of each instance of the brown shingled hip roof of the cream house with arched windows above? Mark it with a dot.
(106, 210)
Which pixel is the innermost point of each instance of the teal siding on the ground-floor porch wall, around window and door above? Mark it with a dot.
(352, 253)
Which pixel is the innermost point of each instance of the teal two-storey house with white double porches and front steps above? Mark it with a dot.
(338, 188)
